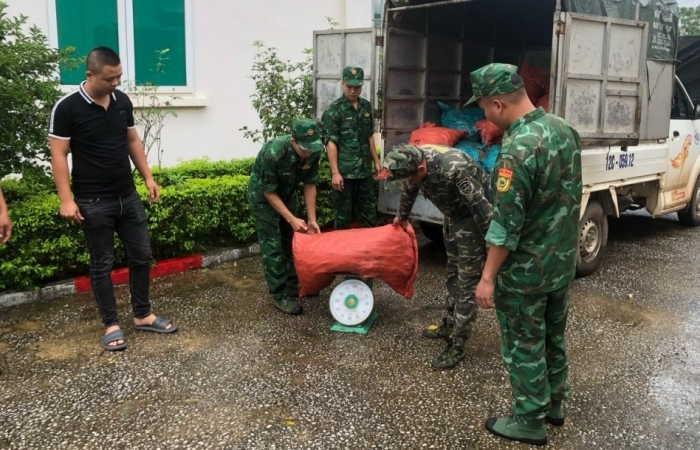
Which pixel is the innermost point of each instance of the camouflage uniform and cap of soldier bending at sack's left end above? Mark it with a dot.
(278, 168)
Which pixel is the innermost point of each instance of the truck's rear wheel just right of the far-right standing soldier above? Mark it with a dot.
(592, 239)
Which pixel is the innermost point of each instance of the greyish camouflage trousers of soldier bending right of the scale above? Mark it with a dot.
(465, 260)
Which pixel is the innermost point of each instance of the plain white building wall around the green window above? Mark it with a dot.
(224, 32)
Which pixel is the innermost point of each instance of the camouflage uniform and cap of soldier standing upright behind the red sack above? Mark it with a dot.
(350, 129)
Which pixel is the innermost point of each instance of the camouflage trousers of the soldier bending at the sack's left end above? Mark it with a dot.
(275, 237)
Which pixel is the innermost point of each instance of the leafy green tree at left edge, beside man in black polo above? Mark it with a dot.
(29, 85)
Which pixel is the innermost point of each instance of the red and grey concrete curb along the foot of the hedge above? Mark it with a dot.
(81, 285)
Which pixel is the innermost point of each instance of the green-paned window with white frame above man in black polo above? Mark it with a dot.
(136, 29)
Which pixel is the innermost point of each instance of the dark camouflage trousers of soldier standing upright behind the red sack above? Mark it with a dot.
(357, 199)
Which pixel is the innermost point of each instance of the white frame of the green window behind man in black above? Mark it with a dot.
(127, 52)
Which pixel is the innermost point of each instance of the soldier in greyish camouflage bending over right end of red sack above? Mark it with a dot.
(456, 184)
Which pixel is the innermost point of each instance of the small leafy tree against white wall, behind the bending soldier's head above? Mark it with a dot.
(283, 92)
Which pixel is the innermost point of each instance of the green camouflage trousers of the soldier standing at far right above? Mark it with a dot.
(533, 348)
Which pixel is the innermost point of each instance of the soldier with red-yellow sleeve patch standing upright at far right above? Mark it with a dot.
(533, 243)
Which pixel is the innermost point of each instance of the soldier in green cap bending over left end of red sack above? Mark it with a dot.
(282, 164)
